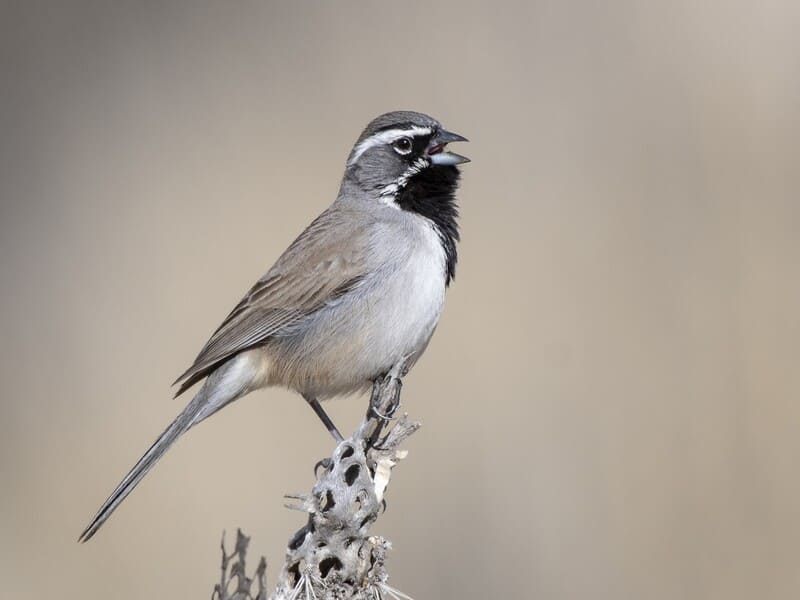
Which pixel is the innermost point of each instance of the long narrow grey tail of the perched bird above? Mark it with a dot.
(222, 387)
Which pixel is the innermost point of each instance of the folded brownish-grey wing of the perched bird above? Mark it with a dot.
(325, 262)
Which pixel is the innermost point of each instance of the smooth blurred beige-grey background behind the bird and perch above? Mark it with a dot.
(610, 404)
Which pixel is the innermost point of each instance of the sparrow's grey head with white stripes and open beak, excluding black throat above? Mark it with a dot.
(399, 149)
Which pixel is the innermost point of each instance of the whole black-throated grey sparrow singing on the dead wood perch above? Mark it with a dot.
(360, 290)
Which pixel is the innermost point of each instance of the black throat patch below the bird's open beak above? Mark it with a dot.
(431, 193)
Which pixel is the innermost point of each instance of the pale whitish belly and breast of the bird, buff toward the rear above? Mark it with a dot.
(361, 336)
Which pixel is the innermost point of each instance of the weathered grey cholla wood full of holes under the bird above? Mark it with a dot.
(332, 555)
